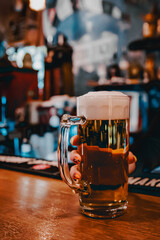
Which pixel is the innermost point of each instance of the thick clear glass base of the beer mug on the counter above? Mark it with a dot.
(104, 212)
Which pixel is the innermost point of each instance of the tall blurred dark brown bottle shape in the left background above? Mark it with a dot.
(59, 76)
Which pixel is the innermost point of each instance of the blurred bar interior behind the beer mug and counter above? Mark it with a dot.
(52, 51)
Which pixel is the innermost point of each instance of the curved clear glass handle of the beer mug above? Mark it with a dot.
(66, 122)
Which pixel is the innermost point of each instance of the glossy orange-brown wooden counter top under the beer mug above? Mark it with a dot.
(39, 208)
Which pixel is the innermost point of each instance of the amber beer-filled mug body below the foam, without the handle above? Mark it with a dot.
(104, 168)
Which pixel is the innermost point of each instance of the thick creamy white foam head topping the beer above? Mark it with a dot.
(103, 105)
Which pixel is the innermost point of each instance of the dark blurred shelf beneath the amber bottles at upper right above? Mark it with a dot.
(145, 44)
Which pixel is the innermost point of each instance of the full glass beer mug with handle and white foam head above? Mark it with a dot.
(103, 132)
